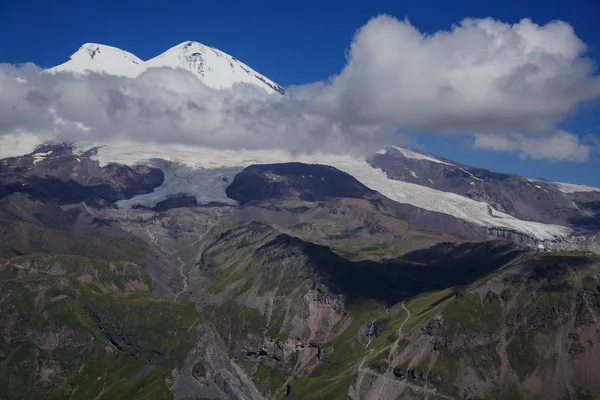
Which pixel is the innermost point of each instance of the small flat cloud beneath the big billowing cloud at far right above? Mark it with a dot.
(562, 146)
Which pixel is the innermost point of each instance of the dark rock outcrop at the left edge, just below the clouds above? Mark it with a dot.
(55, 172)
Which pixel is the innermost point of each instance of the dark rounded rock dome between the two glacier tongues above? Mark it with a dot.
(294, 181)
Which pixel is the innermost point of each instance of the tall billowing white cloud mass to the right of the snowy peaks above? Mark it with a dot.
(483, 75)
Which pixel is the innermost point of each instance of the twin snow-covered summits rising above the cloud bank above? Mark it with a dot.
(216, 69)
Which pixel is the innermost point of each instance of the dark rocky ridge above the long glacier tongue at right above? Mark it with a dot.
(520, 197)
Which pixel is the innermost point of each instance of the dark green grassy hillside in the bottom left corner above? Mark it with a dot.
(84, 328)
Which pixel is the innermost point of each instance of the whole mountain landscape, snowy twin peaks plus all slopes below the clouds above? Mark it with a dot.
(162, 271)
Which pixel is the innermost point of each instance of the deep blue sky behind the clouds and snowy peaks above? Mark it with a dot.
(293, 43)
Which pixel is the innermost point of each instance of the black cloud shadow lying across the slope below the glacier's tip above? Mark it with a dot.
(442, 266)
